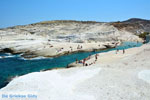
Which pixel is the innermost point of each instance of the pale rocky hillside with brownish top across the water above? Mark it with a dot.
(38, 37)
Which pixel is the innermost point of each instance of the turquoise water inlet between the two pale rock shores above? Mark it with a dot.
(14, 65)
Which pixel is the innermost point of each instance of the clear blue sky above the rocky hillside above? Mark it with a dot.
(21, 12)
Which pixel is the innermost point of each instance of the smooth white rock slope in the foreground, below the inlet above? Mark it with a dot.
(113, 77)
